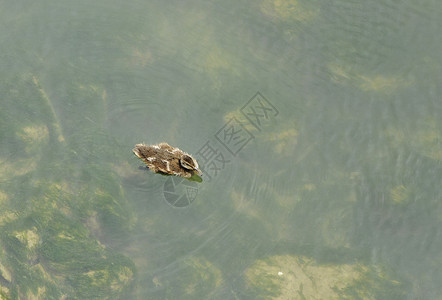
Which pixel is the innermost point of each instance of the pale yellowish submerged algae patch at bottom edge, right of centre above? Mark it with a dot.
(299, 277)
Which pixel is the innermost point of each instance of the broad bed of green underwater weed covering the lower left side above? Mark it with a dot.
(56, 218)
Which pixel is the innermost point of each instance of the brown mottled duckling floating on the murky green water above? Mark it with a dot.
(163, 158)
